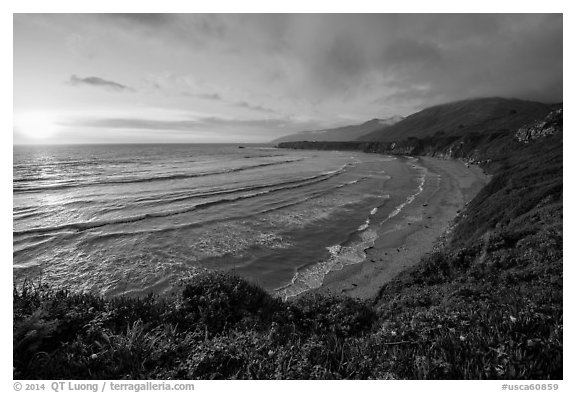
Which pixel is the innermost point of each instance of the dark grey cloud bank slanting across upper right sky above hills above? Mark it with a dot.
(415, 60)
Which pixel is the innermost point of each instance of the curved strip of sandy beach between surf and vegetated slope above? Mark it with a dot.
(406, 237)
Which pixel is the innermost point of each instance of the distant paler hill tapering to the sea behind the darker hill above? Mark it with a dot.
(346, 133)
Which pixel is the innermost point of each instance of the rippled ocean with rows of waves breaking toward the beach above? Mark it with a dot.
(135, 219)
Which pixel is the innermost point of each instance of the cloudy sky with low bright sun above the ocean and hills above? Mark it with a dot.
(212, 78)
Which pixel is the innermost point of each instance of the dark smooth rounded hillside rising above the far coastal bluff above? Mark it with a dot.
(462, 117)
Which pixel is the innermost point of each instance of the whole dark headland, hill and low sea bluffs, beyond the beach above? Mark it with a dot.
(476, 131)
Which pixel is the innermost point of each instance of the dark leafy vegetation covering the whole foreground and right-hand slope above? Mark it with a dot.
(488, 304)
